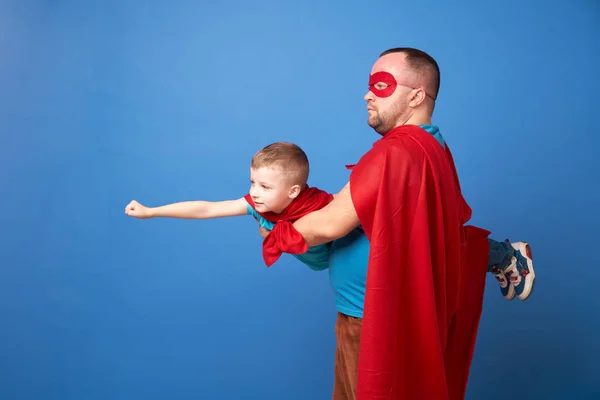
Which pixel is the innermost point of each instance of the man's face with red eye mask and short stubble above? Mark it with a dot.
(387, 98)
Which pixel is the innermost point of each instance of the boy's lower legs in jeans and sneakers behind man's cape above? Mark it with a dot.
(512, 265)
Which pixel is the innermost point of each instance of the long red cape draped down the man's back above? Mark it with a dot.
(426, 271)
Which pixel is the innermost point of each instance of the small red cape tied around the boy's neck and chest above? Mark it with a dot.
(283, 237)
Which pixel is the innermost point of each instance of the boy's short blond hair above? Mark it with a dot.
(286, 157)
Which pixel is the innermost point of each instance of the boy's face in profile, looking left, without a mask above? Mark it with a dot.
(271, 190)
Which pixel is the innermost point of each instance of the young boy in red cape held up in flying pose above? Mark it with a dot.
(279, 191)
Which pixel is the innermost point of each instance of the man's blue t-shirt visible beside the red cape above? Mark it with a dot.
(348, 261)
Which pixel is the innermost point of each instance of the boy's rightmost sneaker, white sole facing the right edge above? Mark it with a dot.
(520, 271)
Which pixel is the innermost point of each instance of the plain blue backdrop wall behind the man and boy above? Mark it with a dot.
(105, 102)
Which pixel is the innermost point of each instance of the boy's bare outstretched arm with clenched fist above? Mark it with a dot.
(189, 209)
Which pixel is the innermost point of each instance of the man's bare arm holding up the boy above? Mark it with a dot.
(332, 222)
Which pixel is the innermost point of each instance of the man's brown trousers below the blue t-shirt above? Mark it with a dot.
(347, 334)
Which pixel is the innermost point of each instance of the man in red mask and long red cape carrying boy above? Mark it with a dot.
(403, 213)
